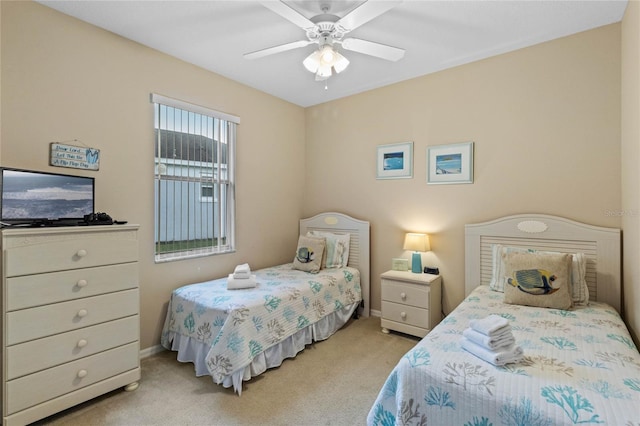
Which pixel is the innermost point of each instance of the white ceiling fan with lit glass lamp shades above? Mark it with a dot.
(328, 31)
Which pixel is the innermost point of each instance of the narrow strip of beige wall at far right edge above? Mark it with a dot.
(630, 125)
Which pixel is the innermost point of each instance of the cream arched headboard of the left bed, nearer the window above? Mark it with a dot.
(358, 247)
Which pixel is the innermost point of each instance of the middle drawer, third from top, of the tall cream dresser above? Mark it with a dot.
(34, 323)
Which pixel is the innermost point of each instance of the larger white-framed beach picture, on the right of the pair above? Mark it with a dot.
(450, 163)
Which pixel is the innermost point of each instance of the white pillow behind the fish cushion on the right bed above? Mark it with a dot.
(579, 289)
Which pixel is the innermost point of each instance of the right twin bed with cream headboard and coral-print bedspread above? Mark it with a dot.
(579, 365)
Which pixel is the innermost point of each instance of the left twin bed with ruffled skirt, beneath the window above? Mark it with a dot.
(234, 335)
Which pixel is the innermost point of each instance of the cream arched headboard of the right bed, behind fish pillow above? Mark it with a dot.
(601, 246)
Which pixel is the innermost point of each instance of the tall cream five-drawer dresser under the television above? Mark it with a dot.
(70, 317)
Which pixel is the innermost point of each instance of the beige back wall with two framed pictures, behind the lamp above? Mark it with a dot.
(546, 125)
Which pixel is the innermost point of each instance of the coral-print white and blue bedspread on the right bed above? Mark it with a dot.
(579, 366)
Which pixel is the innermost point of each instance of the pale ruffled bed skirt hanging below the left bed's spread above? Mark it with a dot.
(192, 350)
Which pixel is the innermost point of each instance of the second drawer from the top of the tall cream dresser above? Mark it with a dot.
(35, 290)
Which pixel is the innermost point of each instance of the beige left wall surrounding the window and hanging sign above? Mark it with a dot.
(63, 79)
